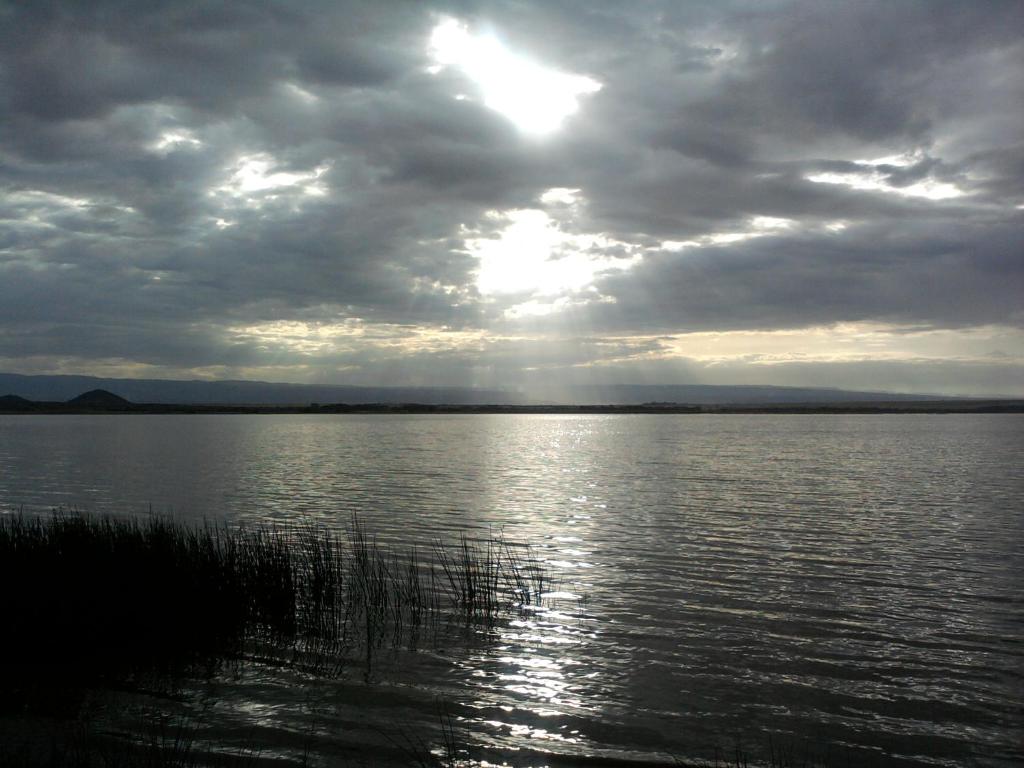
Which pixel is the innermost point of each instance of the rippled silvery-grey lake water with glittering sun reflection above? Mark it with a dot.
(850, 584)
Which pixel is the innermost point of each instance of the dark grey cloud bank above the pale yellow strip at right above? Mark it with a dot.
(943, 275)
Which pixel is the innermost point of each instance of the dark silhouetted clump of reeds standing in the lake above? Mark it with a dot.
(103, 602)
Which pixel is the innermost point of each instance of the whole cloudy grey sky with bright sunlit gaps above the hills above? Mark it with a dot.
(513, 194)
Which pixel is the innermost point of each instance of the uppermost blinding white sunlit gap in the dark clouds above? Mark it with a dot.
(536, 99)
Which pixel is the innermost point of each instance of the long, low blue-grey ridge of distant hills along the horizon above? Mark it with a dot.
(65, 389)
